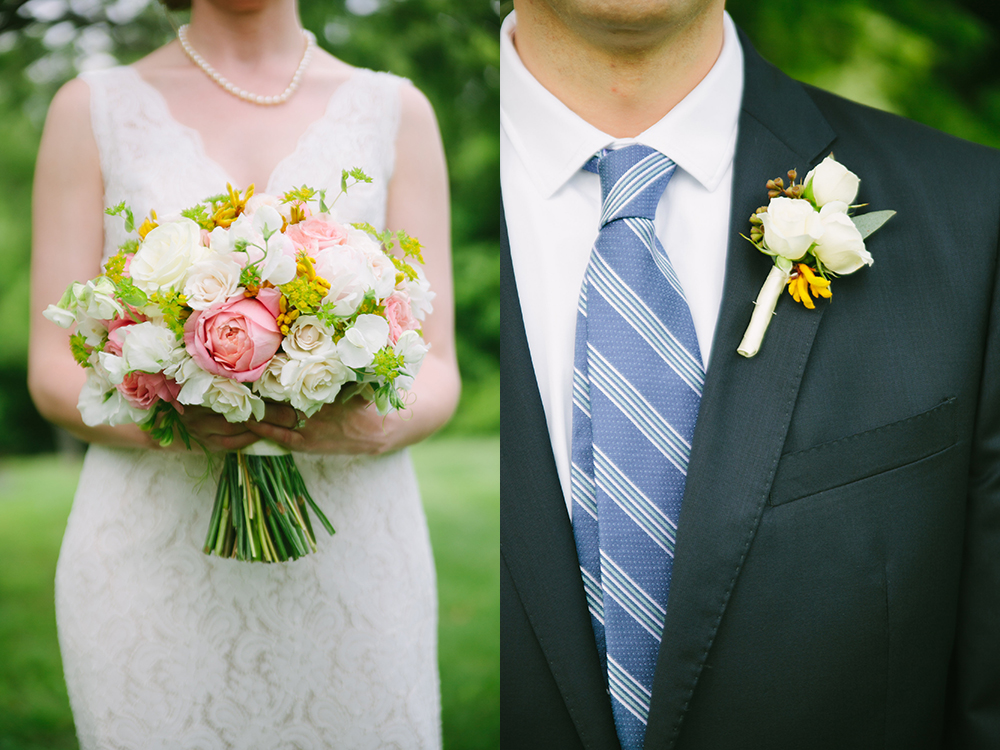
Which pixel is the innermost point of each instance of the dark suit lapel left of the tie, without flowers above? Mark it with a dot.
(536, 536)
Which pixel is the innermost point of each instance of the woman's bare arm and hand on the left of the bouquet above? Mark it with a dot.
(67, 245)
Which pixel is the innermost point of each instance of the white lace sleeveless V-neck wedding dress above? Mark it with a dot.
(165, 647)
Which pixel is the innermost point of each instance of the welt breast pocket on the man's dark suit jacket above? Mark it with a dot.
(839, 462)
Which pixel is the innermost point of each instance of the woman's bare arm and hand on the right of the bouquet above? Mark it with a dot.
(419, 203)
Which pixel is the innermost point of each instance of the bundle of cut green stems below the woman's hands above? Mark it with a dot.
(261, 510)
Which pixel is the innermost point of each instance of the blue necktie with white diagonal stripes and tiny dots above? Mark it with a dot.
(637, 383)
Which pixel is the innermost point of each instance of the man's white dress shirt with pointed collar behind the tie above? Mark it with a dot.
(552, 207)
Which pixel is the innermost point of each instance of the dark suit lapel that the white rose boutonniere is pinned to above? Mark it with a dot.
(747, 403)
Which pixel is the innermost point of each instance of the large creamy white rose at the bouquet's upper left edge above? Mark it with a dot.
(165, 256)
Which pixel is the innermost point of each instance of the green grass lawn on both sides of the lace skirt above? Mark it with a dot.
(460, 477)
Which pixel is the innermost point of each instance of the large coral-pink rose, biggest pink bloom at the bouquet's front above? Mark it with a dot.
(236, 339)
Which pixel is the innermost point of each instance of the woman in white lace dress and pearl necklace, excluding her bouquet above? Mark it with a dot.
(163, 646)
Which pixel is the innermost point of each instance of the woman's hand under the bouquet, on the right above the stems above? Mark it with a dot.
(354, 426)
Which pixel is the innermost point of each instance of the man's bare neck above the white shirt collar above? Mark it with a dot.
(619, 68)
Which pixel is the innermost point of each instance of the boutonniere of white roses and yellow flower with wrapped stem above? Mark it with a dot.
(809, 231)
